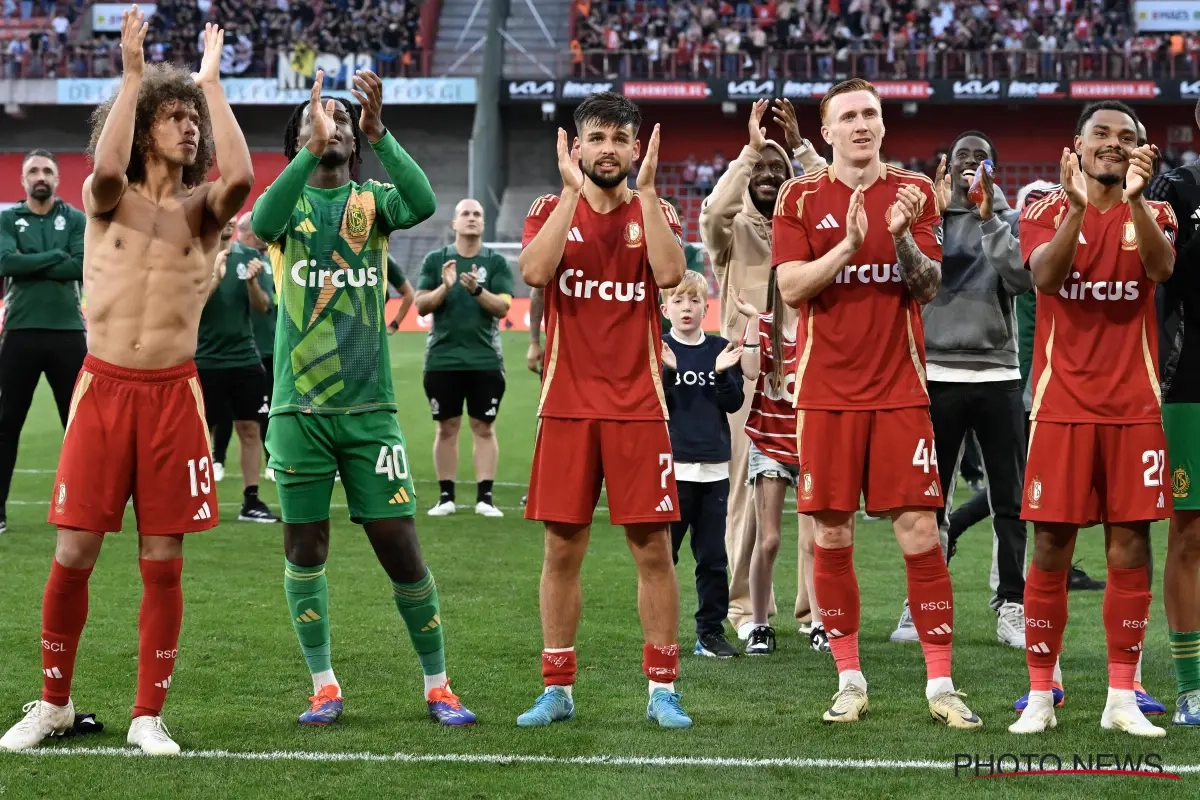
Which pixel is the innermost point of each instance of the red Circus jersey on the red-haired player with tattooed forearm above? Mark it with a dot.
(862, 345)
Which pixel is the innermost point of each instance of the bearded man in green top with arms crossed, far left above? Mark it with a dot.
(41, 262)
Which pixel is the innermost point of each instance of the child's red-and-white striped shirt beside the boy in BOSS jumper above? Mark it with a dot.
(771, 424)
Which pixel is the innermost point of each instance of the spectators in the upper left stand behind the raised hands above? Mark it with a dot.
(256, 33)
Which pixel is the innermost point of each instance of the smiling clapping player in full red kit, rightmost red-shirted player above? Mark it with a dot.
(1097, 452)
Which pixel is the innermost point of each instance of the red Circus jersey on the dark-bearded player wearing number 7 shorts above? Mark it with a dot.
(603, 324)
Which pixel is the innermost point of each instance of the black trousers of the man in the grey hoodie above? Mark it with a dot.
(995, 413)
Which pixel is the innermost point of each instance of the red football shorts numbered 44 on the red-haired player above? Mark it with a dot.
(886, 456)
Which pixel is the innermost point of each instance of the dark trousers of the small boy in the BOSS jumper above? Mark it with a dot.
(703, 508)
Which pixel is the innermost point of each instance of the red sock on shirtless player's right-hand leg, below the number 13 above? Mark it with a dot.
(159, 623)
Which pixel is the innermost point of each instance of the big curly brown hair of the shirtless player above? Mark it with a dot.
(161, 85)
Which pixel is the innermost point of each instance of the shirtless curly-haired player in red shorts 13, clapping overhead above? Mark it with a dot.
(154, 227)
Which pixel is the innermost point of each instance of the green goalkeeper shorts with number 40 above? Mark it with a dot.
(368, 449)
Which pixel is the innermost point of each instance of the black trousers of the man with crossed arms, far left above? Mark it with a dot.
(25, 357)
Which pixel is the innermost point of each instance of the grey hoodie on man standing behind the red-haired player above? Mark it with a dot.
(973, 321)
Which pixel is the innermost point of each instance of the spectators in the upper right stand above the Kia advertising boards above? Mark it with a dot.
(874, 39)
